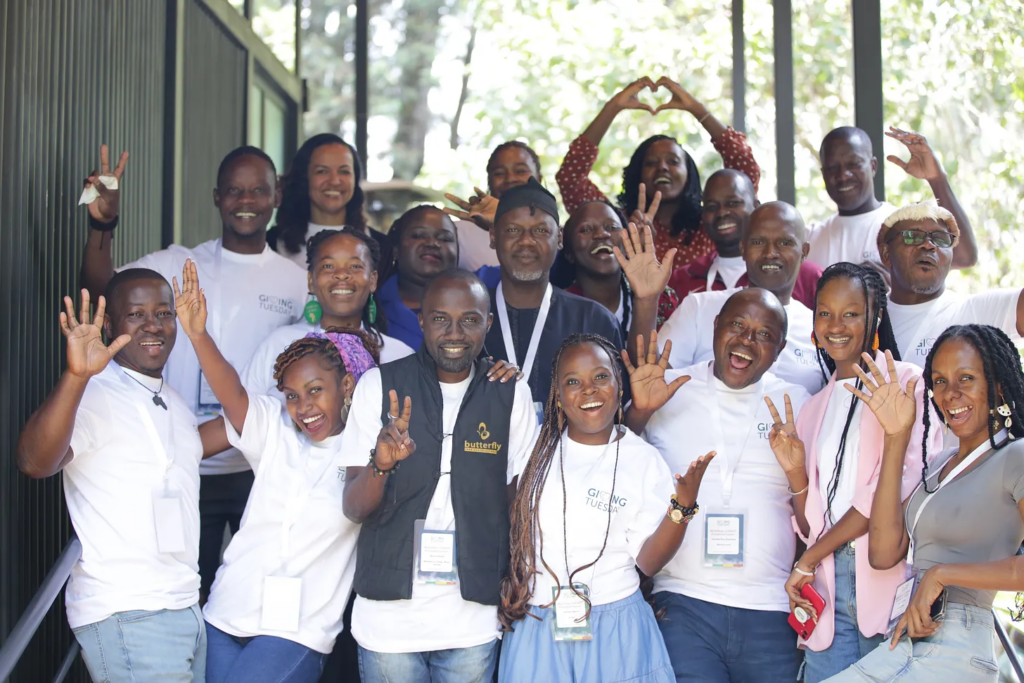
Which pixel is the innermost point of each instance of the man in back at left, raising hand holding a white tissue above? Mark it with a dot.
(251, 292)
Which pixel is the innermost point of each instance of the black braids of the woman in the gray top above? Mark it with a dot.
(1003, 368)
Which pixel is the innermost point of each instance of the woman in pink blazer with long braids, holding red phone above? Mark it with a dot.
(832, 457)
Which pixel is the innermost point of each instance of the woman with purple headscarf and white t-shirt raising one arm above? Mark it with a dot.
(277, 605)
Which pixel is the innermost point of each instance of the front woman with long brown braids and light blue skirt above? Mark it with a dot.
(594, 503)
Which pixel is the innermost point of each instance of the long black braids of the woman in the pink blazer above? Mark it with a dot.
(877, 317)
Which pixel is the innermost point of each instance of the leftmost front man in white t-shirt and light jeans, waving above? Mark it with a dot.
(130, 451)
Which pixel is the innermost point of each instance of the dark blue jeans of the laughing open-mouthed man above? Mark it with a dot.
(718, 645)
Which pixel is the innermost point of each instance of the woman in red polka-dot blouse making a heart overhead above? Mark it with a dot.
(661, 164)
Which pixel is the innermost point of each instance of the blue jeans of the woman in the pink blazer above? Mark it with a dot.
(849, 645)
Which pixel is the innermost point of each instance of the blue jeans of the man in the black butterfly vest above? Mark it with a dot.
(467, 665)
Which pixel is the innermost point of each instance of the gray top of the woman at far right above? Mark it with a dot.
(974, 519)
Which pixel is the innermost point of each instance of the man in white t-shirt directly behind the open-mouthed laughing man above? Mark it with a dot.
(774, 248)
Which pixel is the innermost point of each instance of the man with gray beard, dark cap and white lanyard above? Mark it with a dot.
(532, 317)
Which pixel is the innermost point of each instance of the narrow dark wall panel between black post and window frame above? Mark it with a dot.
(216, 69)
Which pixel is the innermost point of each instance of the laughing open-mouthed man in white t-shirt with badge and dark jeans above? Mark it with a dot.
(724, 605)
